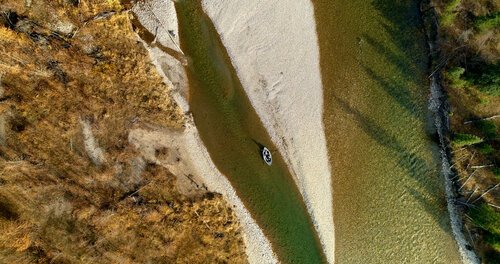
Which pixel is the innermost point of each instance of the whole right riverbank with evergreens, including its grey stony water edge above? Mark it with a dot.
(465, 54)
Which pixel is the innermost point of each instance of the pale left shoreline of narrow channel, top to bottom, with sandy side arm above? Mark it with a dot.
(195, 157)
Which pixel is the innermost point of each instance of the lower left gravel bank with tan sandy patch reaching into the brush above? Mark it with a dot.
(190, 162)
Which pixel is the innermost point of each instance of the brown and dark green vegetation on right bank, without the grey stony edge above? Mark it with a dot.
(468, 38)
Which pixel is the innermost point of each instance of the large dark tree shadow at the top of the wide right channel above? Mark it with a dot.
(401, 45)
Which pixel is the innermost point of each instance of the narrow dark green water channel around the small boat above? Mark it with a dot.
(233, 135)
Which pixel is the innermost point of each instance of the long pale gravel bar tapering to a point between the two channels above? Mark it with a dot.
(273, 46)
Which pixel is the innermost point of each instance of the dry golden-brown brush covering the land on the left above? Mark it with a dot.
(68, 62)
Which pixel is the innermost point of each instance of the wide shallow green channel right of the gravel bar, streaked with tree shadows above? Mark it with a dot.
(389, 202)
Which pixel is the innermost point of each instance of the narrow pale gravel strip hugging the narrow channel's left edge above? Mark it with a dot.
(258, 247)
